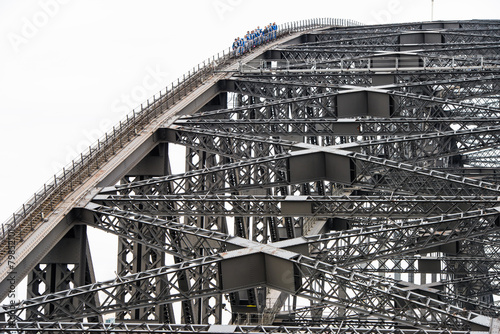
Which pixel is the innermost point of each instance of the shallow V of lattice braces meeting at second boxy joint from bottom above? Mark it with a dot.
(425, 146)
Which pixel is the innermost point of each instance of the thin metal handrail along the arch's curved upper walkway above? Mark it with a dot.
(75, 173)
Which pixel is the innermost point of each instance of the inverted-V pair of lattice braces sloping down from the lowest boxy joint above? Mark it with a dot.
(415, 309)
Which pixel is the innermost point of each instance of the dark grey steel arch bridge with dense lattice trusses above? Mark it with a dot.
(342, 178)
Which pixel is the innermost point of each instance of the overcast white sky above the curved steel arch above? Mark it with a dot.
(70, 69)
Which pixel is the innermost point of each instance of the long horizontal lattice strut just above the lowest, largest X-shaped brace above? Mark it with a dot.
(345, 206)
